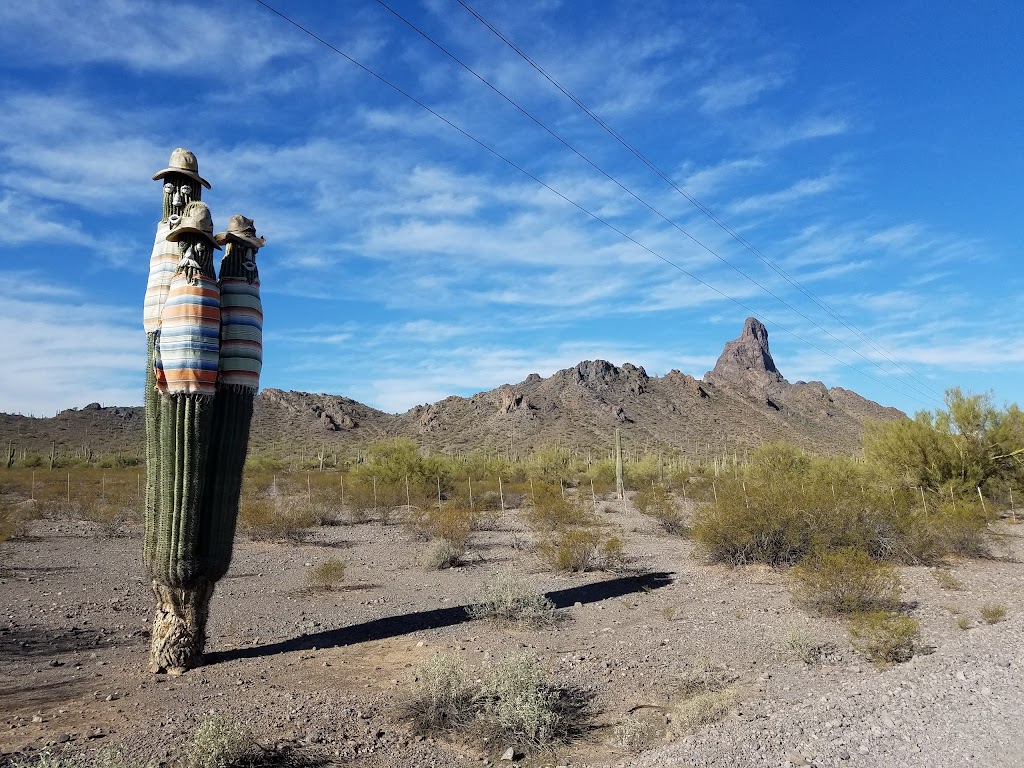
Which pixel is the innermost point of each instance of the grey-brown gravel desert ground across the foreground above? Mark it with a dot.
(326, 674)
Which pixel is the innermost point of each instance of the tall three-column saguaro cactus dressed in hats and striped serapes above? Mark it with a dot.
(197, 431)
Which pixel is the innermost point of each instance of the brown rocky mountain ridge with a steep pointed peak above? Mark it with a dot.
(743, 402)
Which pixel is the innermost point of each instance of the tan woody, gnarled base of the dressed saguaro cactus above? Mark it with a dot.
(180, 628)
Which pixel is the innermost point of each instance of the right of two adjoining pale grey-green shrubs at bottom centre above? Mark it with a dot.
(517, 701)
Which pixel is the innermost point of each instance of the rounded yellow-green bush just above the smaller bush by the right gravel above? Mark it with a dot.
(846, 581)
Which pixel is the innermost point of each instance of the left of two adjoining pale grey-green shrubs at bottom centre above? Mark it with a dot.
(442, 698)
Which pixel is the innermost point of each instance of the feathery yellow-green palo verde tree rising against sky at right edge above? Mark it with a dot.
(969, 445)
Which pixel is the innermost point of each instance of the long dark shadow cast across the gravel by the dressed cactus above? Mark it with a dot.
(389, 627)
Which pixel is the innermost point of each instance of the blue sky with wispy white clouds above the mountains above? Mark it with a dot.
(871, 153)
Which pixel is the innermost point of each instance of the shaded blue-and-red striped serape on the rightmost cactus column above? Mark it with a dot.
(241, 334)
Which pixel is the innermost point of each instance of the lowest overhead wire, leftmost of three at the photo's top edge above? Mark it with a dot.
(572, 202)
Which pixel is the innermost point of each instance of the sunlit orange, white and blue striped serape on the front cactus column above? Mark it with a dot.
(189, 343)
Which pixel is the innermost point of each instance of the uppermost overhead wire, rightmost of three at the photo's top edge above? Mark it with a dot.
(709, 214)
